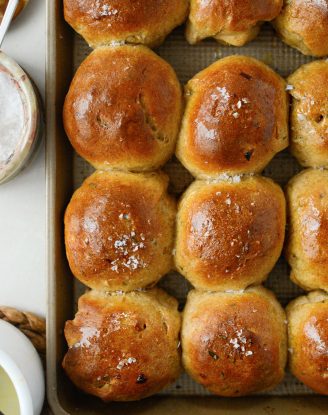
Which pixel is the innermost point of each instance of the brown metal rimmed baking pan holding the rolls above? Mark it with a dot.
(65, 171)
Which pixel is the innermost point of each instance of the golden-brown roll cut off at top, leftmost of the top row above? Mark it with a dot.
(146, 22)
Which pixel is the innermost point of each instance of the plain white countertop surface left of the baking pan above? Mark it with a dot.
(22, 200)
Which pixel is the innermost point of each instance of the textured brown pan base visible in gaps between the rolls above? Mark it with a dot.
(187, 61)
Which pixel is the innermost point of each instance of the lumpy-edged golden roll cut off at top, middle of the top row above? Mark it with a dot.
(235, 22)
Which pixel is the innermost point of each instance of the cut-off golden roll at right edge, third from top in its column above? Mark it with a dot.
(307, 249)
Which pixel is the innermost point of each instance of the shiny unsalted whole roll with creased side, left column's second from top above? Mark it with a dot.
(123, 109)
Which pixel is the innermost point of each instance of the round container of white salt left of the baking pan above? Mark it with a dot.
(20, 118)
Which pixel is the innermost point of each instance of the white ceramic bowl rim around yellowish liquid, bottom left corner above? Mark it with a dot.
(21, 362)
